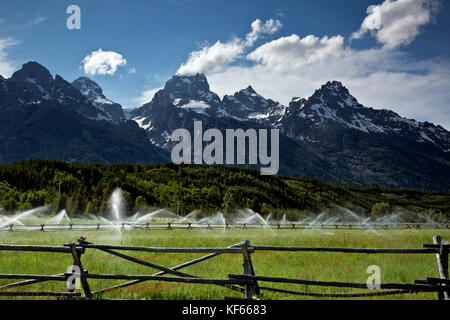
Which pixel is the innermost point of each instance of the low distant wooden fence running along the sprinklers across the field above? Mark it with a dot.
(207, 226)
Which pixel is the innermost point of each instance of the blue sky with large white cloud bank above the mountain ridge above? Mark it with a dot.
(404, 69)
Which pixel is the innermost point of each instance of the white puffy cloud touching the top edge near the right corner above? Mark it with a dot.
(396, 23)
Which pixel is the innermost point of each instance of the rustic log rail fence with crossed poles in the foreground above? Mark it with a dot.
(247, 283)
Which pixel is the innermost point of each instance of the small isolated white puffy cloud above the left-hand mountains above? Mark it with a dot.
(103, 62)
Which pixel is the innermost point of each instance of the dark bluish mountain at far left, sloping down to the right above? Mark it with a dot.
(49, 118)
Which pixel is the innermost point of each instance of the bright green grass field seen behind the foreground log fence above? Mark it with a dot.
(303, 265)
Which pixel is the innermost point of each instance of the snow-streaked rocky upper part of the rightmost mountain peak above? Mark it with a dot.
(333, 104)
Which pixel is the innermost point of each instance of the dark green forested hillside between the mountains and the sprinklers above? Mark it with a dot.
(86, 188)
